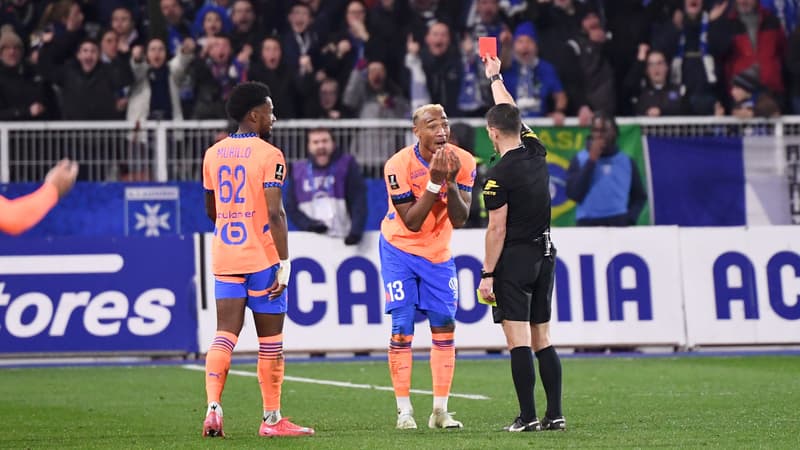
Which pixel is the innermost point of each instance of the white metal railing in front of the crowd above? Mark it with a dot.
(173, 151)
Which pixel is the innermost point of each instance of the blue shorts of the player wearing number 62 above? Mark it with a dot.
(251, 286)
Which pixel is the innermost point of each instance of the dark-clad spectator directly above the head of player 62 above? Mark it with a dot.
(284, 82)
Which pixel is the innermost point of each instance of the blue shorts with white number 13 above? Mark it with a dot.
(413, 280)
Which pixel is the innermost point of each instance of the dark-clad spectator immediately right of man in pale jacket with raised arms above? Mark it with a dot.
(215, 76)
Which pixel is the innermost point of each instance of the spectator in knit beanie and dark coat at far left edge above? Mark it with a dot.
(23, 95)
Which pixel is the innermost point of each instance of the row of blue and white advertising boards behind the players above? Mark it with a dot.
(642, 286)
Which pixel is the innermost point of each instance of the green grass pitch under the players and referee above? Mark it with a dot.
(742, 402)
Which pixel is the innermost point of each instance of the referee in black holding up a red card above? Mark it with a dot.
(519, 266)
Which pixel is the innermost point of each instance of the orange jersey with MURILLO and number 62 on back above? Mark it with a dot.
(236, 170)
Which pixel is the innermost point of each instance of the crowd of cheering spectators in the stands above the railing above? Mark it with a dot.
(174, 59)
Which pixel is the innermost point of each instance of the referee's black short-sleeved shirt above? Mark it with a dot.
(521, 180)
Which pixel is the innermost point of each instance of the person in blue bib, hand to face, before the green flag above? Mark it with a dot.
(604, 181)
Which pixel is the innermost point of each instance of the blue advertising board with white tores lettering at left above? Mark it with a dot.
(98, 295)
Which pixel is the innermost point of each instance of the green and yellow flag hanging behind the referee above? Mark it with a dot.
(562, 144)
